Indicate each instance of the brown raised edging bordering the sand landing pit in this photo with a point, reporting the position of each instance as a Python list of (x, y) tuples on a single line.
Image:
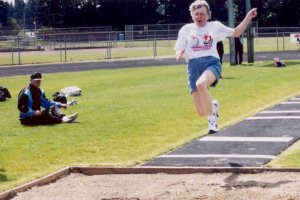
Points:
[(135, 170)]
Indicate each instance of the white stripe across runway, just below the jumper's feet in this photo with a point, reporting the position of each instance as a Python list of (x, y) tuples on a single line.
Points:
[(245, 139)]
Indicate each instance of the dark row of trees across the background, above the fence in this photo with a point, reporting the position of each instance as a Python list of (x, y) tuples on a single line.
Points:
[(117, 13)]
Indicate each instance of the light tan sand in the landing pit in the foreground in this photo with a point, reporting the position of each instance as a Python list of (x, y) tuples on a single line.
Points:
[(267, 185)]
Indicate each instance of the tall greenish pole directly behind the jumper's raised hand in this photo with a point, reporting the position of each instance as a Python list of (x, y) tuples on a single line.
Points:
[(250, 36)]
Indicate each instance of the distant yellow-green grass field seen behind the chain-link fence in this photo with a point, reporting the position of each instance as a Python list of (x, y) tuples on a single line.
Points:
[(132, 49)]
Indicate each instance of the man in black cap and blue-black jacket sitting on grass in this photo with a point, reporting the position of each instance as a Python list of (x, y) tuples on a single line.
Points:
[(30, 101)]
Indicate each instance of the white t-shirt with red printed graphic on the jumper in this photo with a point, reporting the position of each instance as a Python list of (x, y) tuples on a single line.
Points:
[(201, 42)]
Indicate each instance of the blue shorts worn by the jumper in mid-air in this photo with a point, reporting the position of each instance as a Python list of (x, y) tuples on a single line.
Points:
[(197, 66)]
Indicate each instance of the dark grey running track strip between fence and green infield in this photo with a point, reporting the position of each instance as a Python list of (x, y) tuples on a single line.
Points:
[(125, 63)]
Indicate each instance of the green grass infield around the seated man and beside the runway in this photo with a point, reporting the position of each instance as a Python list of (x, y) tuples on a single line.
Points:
[(128, 116)]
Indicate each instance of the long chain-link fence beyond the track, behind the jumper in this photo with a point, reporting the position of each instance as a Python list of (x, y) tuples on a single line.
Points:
[(84, 44)]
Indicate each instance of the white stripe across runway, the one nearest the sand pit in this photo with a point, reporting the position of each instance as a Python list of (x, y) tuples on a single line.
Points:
[(217, 156)]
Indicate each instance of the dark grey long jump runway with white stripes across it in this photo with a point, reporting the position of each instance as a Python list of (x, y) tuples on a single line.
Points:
[(250, 143)]
